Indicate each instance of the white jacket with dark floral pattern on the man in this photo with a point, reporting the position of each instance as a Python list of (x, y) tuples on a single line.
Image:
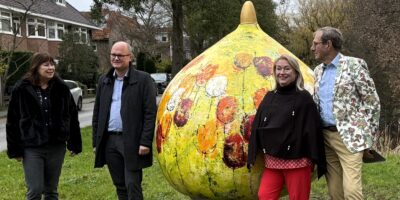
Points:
[(356, 106)]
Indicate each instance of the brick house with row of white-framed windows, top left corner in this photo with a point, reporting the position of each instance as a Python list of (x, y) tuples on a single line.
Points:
[(43, 26)]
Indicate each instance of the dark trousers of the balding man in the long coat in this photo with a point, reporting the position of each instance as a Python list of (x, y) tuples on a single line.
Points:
[(127, 182)]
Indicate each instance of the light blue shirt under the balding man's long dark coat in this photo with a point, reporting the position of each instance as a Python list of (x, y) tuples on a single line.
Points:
[(115, 121)]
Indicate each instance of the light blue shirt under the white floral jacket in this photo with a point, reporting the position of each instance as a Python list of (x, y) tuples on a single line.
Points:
[(326, 86)]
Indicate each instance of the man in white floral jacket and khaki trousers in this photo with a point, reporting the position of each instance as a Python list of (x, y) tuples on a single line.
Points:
[(349, 107)]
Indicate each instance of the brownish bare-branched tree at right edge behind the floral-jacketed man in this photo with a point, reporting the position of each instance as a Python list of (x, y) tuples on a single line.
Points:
[(373, 34)]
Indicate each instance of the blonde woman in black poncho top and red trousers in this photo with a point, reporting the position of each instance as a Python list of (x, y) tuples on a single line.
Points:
[(288, 131)]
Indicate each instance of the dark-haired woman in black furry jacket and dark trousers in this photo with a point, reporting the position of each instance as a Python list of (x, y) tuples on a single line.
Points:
[(42, 122)]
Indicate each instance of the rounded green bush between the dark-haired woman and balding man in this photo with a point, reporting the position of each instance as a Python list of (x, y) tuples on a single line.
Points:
[(78, 61)]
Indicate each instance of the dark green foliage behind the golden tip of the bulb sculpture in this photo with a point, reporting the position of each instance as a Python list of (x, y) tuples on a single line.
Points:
[(208, 21)]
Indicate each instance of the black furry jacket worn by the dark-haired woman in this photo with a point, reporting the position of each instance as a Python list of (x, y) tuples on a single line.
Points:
[(26, 124)]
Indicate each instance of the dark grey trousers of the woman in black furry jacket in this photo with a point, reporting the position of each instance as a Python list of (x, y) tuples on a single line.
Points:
[(42, 168)]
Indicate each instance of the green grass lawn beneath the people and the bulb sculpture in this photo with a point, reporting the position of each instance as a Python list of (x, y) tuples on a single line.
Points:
[(80, 181)]
